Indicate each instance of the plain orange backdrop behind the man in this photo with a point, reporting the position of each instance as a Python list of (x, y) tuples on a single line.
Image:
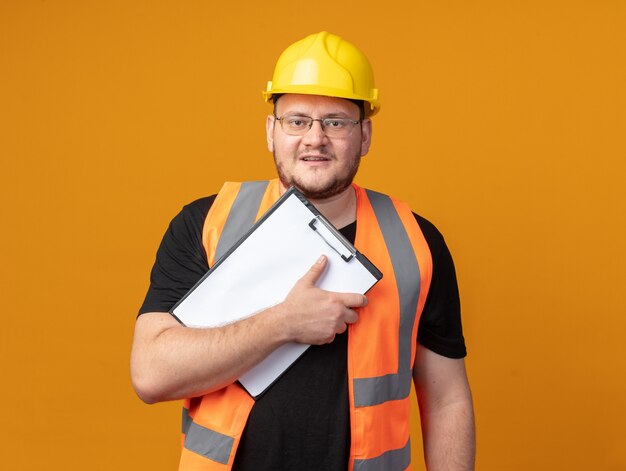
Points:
[(502, 121)]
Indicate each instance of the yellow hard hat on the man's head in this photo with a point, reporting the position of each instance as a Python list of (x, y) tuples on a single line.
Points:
[(325, 64)]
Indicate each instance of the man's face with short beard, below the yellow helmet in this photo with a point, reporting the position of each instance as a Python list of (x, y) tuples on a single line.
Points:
[(319, 166)]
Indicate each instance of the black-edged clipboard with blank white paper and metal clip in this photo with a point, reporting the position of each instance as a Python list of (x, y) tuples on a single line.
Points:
[(259, 270)]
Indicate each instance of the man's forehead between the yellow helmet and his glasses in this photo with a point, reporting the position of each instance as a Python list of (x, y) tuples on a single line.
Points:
[(315, 105)]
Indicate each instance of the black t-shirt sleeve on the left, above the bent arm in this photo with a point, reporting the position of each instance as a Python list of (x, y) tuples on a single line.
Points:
[(181, 259)]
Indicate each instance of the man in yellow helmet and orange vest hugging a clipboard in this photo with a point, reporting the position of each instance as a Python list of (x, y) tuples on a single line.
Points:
[(345, 403)]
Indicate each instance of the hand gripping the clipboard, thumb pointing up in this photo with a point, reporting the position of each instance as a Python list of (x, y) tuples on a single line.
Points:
[(315, 316)]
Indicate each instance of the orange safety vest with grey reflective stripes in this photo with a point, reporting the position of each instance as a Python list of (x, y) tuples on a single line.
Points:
[(381, 344)]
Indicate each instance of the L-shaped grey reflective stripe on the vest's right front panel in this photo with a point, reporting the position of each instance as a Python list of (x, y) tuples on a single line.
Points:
[(372, 391)]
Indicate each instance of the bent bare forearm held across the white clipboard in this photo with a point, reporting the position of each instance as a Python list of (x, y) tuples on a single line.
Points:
[(173, 362)]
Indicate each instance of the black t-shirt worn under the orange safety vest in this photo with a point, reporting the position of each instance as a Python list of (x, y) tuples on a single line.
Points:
[(302, 422)]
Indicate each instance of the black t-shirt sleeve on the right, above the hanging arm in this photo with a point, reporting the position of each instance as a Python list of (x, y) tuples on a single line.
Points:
[(440, 329)]
